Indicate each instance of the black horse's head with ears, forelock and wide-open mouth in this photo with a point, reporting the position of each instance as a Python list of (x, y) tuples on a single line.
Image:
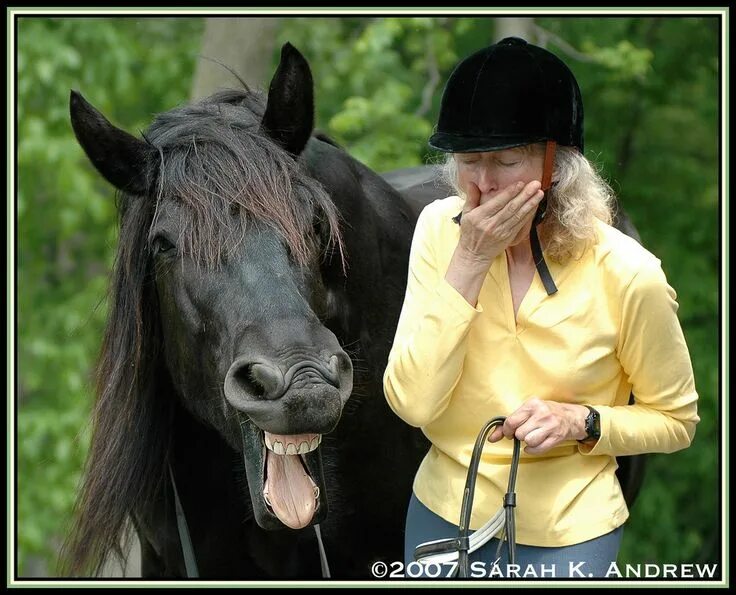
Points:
[(217, 211)]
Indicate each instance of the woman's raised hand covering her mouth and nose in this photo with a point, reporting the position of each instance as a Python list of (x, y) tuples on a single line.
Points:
[(490, 224)]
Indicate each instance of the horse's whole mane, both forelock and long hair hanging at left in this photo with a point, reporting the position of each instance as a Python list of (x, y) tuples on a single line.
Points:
[(215, 161)]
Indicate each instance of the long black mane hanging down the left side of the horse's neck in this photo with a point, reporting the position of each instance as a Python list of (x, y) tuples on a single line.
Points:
[(131, 422)]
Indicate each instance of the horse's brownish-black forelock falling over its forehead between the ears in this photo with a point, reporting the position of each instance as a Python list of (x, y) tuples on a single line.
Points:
[(225, 172)]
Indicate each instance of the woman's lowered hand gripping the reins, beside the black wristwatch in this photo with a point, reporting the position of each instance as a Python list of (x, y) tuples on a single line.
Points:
[(543, 424)]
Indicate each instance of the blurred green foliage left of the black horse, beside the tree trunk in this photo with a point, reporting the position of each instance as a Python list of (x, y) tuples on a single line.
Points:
[(66, 230)]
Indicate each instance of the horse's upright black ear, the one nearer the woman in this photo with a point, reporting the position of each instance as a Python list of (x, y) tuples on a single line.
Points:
[(289, 117)]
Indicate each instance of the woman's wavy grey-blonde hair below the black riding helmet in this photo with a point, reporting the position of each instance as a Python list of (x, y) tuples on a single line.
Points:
[(578, 197)]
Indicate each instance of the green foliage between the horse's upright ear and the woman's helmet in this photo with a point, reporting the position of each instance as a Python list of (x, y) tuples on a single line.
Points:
[(378, 81)]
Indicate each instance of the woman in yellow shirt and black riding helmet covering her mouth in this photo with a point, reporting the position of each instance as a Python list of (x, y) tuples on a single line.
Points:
[(552, 334)]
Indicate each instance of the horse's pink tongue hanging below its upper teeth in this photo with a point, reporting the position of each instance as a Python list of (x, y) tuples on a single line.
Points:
[(289, 490)]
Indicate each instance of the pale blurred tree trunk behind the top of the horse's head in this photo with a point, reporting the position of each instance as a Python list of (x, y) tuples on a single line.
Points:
[(243, 44)]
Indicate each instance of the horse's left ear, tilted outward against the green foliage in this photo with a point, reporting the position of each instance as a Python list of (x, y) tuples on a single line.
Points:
[(120, 157)]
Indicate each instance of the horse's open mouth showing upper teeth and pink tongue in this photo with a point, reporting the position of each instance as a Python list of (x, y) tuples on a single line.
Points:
[(288, 489)]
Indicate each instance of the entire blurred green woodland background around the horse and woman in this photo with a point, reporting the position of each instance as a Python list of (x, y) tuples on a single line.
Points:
[(651, 91)]
